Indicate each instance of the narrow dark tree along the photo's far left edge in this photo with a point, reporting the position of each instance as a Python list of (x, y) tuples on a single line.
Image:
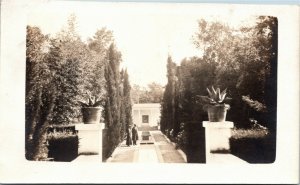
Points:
[(40, 94)]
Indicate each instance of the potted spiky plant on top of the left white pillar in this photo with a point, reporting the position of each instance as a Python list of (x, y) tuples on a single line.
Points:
[(91, 110)]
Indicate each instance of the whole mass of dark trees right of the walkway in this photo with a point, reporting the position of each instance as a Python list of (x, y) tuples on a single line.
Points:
[(243, 60)]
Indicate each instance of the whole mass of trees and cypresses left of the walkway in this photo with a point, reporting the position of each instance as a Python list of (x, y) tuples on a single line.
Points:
[(62, 69)]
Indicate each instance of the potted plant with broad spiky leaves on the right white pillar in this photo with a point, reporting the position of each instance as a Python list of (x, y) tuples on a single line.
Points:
[(216, 104)]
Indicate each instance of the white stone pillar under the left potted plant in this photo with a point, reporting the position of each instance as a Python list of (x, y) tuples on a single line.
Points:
[(90, 139)]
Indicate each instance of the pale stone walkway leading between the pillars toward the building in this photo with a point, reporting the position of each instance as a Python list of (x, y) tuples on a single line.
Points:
[(161, 151)]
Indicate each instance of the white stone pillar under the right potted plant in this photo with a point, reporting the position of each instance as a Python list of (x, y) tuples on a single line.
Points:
[(217, 136)]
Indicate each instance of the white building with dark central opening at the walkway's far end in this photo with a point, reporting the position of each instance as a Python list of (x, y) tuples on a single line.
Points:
[(146, 114)]
